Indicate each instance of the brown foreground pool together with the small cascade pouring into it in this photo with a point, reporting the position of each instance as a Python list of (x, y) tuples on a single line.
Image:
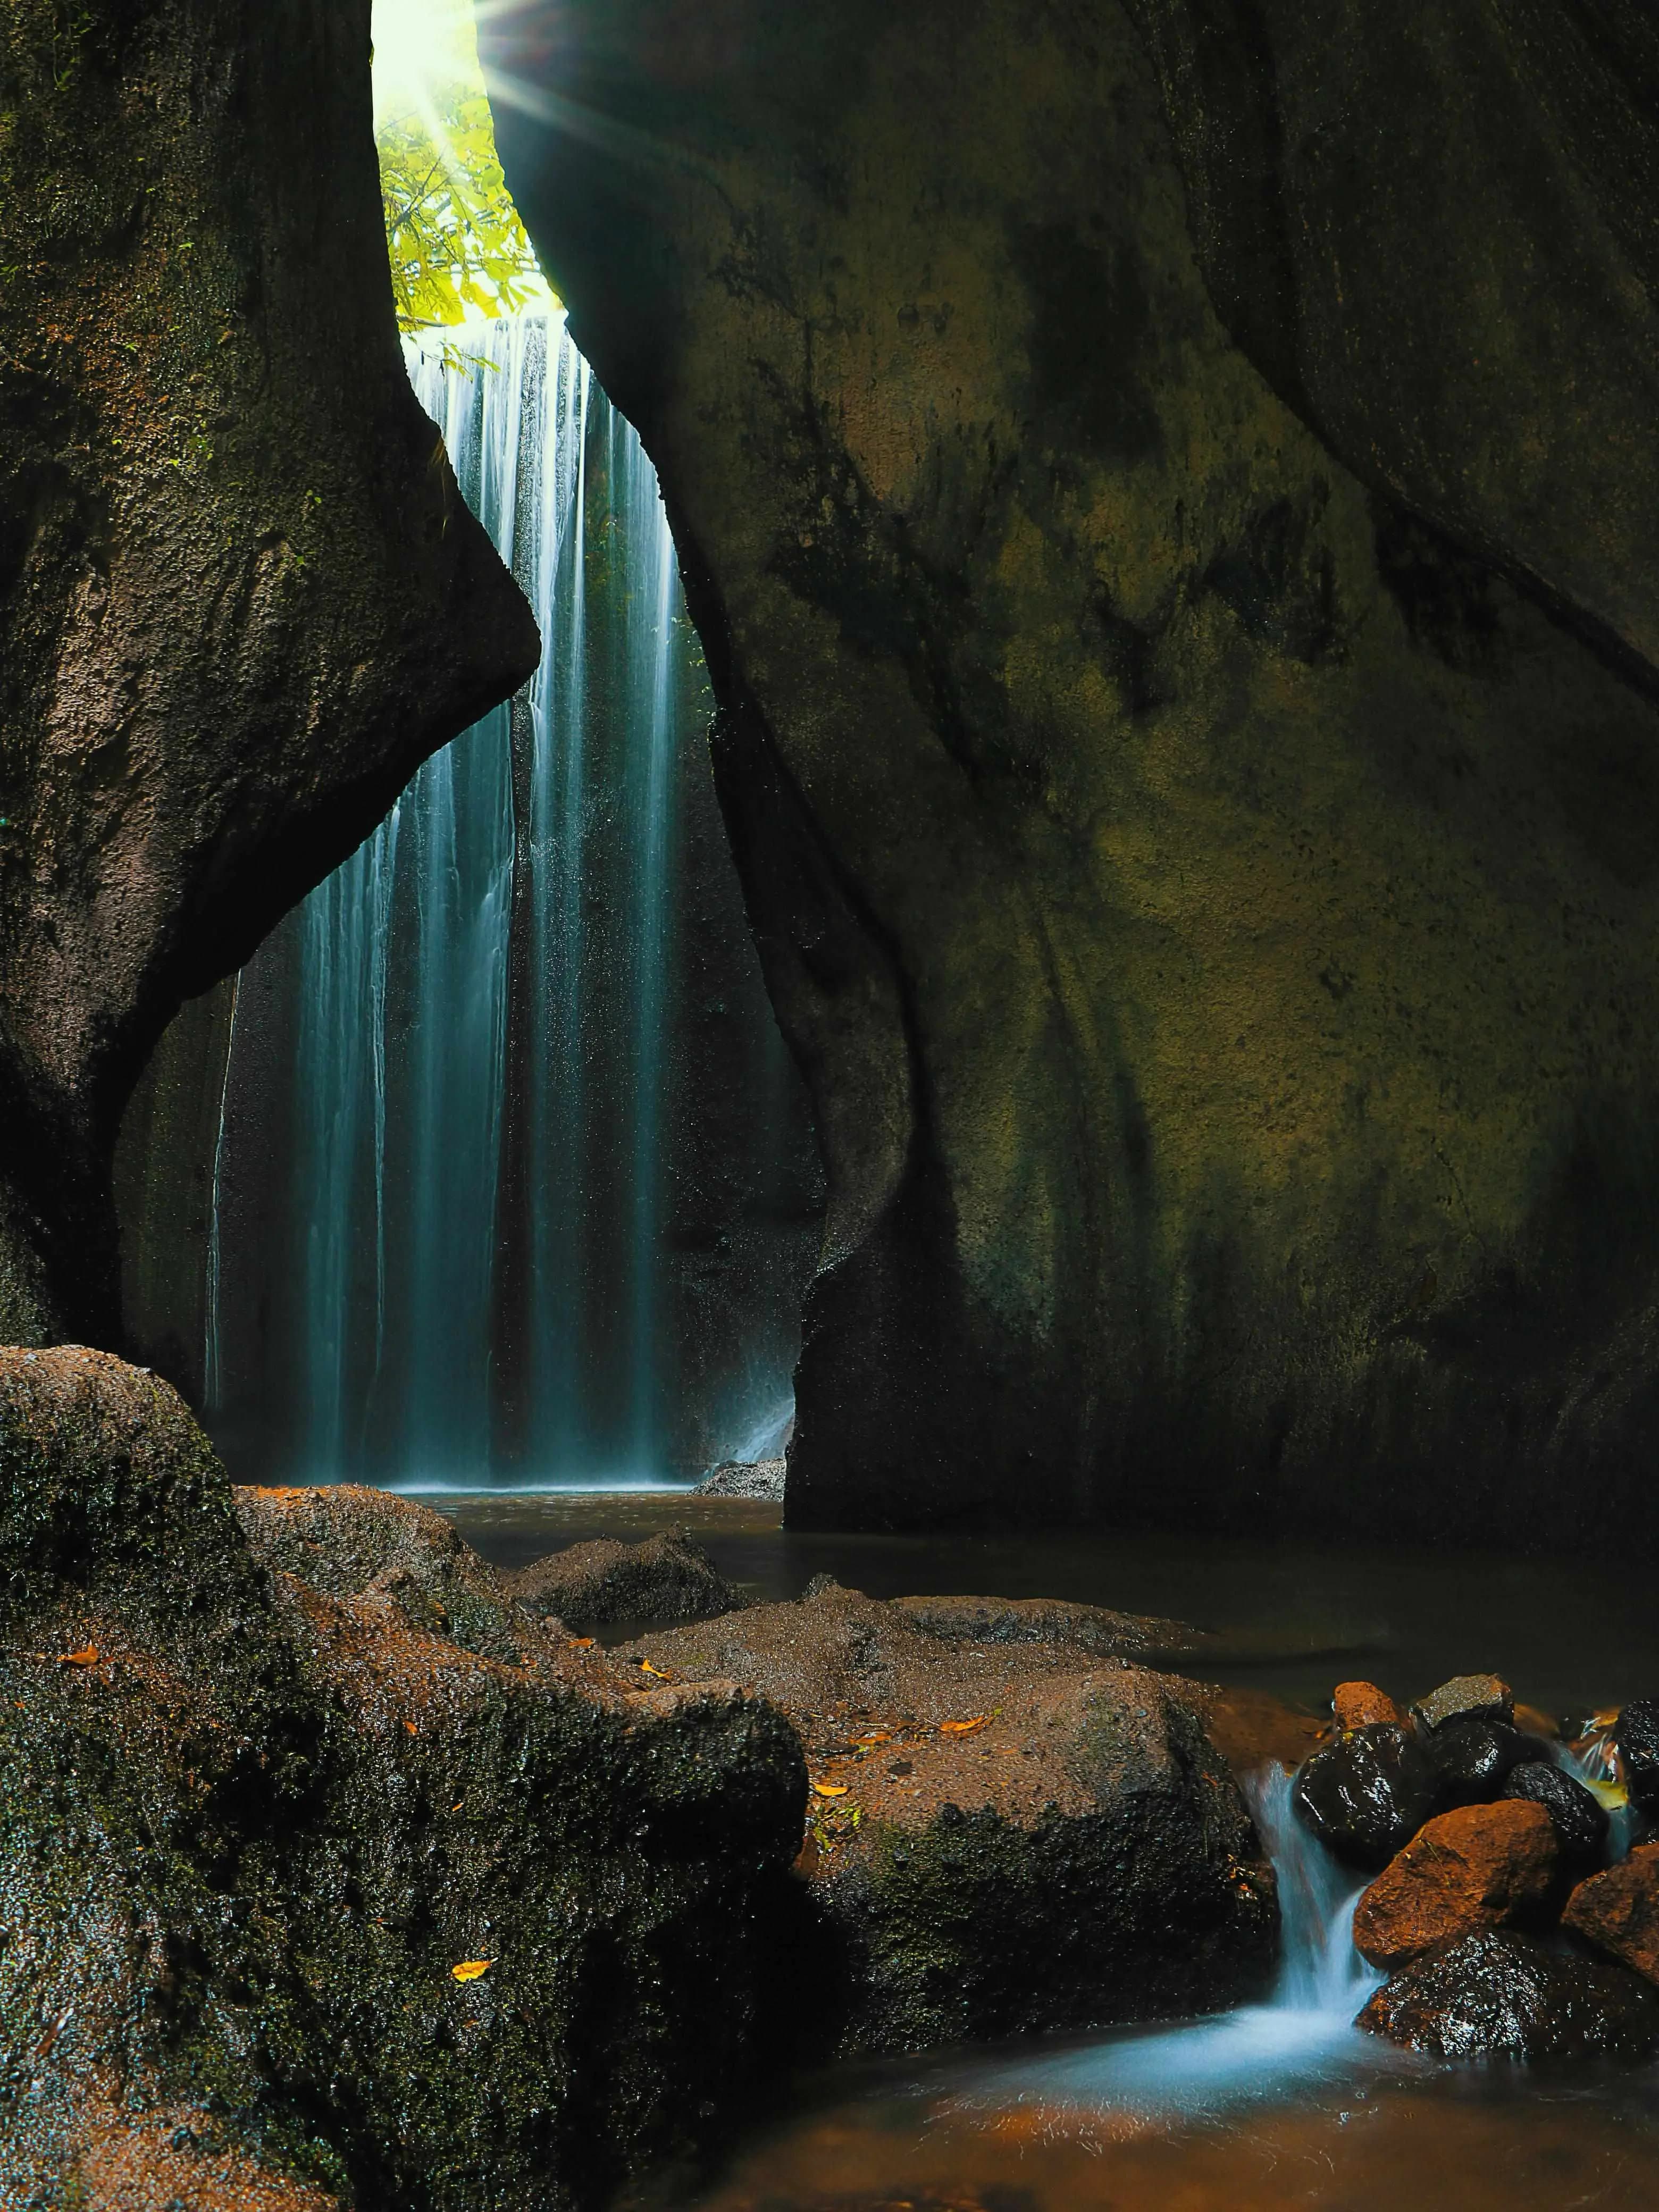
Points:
[(1269, 2107)]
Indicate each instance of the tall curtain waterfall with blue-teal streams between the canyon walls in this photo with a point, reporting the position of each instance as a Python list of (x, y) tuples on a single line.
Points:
[(474, 1249)]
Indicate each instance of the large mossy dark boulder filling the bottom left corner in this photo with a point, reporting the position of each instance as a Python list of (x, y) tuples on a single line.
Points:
[(249, 1830)]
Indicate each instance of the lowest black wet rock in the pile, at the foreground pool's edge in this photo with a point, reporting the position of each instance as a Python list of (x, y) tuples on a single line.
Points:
[(1510, 1996)]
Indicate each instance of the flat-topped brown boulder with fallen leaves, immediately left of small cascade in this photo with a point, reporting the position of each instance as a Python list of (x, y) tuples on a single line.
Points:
[(1005, 1835)]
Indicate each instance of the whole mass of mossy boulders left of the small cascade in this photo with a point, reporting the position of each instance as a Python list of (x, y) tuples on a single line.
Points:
[(337, 1870)]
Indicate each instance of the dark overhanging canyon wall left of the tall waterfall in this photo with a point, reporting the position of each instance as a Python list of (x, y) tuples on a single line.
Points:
[(240, 594)]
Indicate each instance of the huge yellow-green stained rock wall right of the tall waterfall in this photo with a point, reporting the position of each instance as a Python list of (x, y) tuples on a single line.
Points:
[(1211, 895)]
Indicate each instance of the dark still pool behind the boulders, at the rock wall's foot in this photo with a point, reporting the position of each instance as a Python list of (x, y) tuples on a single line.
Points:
[(1567, 1634)]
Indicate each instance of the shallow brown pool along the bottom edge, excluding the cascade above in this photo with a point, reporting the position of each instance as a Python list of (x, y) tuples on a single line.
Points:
[(1384, 2142)]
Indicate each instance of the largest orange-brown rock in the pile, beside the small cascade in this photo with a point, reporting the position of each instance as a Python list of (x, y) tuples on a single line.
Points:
[(1470, 1870)]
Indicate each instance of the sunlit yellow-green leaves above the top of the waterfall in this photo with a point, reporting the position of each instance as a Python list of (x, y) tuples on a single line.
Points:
[(452, 229)]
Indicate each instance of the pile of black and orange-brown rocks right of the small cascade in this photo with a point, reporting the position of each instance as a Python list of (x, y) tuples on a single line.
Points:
[(1510, 1910)]
